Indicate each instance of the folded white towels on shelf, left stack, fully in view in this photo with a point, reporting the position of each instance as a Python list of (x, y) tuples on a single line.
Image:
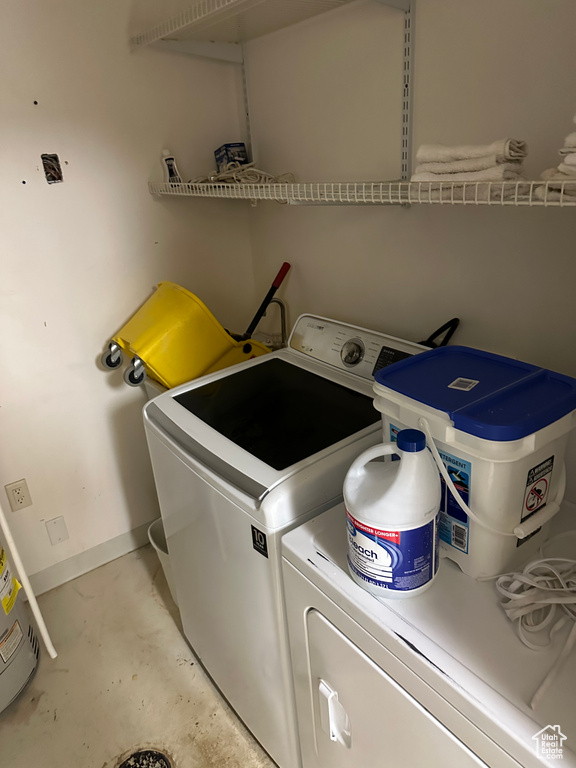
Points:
[(500, 161)]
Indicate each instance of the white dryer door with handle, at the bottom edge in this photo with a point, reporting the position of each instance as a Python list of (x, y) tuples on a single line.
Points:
[(362, 717)]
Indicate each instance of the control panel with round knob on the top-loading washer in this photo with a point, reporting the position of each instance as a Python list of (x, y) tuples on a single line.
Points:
[(347, 347)]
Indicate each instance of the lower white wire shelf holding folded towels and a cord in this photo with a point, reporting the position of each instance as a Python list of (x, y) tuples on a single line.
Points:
[(501, 193)]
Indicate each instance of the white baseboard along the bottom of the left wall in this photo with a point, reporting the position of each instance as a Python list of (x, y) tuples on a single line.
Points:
[(69, 569)]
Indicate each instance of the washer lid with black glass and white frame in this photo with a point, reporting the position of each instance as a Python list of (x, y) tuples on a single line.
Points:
[(265, 420)]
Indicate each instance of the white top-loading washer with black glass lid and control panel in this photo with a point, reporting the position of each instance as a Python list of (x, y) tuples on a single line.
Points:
[(239, 457)]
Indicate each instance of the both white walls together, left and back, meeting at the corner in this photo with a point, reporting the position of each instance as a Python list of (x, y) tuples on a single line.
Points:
[(79, 257)]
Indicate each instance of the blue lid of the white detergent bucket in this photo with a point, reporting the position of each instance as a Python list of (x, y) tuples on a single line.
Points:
[(487, 395)]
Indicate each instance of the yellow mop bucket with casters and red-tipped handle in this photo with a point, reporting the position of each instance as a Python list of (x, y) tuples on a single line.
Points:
[(174, 338)]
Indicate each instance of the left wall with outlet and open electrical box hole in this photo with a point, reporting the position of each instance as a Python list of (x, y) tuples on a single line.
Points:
[(79, 257)]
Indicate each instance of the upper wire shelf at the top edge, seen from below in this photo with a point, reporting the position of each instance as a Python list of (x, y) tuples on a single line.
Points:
[(234, 21)]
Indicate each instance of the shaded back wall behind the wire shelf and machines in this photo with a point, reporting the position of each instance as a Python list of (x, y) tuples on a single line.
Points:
[(483, 70)]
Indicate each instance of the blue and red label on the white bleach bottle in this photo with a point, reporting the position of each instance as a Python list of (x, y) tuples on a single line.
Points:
[(390, 559)]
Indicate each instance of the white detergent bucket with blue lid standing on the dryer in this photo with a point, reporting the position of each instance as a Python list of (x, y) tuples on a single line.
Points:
[(501, 427)]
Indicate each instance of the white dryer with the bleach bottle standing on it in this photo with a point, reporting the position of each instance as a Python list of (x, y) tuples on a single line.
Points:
[(437, 680)]
